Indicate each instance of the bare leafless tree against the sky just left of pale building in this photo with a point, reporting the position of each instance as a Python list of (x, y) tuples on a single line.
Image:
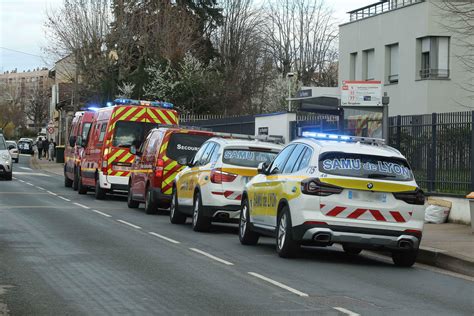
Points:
[(301, 37)]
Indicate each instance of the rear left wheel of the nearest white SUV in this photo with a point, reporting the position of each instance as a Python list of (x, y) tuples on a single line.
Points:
[(286, 246)]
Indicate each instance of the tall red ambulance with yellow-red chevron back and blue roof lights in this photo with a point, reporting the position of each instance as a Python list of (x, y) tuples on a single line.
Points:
[(107, 159)]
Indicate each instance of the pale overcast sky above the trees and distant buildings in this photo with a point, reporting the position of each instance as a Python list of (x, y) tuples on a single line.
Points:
[(22, 34)]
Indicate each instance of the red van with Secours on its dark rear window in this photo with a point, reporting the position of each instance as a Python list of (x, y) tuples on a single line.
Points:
[(163, 154)]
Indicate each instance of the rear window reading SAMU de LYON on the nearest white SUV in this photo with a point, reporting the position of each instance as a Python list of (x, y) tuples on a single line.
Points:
[(365, 166)]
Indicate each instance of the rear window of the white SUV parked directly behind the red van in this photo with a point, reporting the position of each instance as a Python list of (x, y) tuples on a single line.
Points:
[(248, 158)]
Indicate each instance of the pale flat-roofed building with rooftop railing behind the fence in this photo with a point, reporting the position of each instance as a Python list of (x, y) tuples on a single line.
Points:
[(404, 44)]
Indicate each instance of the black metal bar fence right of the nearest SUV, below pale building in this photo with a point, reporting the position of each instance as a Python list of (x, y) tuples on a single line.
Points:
[(439, 148)]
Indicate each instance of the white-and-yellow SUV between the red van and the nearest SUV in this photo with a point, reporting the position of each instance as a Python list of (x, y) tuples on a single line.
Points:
[(210, 188)]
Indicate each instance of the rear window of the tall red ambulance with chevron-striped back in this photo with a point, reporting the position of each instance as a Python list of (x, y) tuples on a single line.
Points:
[(128, 133)]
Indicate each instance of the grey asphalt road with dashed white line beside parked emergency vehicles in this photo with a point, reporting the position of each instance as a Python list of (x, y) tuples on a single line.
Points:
[(66, 254)]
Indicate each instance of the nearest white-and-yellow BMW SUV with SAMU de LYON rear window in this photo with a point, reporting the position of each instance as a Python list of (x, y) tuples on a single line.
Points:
[(330, 189)]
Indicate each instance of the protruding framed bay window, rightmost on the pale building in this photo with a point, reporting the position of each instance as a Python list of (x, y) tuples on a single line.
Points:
[(434, 57)]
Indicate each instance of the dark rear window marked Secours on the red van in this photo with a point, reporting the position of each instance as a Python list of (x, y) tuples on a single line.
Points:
[(185, 145)]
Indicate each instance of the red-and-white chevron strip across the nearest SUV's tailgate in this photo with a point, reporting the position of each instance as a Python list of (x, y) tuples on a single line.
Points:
[(366, 214)]
